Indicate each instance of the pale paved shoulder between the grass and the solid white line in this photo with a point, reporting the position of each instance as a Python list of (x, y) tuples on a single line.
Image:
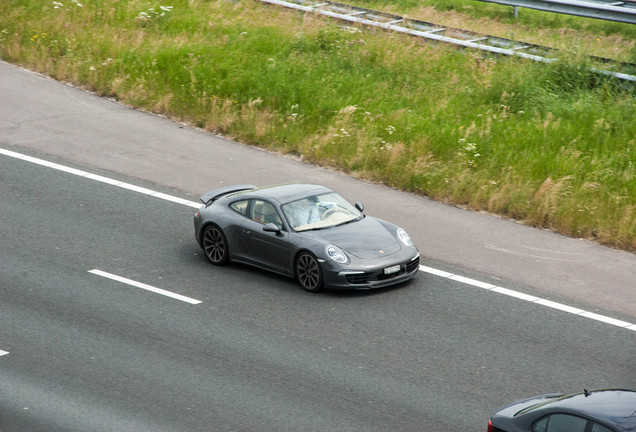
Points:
[(45, 117)]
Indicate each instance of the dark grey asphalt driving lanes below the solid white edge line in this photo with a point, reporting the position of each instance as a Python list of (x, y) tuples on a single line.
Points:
[(88, 353)]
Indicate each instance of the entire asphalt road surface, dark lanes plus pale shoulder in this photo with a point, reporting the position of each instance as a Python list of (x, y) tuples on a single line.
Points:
[(87, 353)]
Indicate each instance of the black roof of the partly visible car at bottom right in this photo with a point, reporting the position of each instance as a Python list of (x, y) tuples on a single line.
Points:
[(615, 406)]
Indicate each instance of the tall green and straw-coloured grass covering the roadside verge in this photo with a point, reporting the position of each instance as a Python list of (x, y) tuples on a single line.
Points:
[(552, 145)]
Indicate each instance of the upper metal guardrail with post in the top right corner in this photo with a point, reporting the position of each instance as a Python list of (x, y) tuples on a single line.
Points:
[(610, 10)]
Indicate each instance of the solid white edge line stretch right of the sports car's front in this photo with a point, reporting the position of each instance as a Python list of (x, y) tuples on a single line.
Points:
[(530, 298)]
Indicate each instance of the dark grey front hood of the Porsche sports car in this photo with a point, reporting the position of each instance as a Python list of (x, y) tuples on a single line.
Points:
[(367, 238)]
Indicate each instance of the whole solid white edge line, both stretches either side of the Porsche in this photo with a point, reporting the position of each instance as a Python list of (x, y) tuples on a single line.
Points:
[(431, 270)]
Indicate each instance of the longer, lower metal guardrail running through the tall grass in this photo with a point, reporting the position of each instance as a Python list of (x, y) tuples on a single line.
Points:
[(463, 38)]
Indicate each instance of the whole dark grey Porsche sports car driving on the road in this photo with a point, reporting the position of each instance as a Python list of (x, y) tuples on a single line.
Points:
[(304, 231)]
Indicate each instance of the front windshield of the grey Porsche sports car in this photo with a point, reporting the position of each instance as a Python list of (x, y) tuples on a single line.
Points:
[(319, 212)]
